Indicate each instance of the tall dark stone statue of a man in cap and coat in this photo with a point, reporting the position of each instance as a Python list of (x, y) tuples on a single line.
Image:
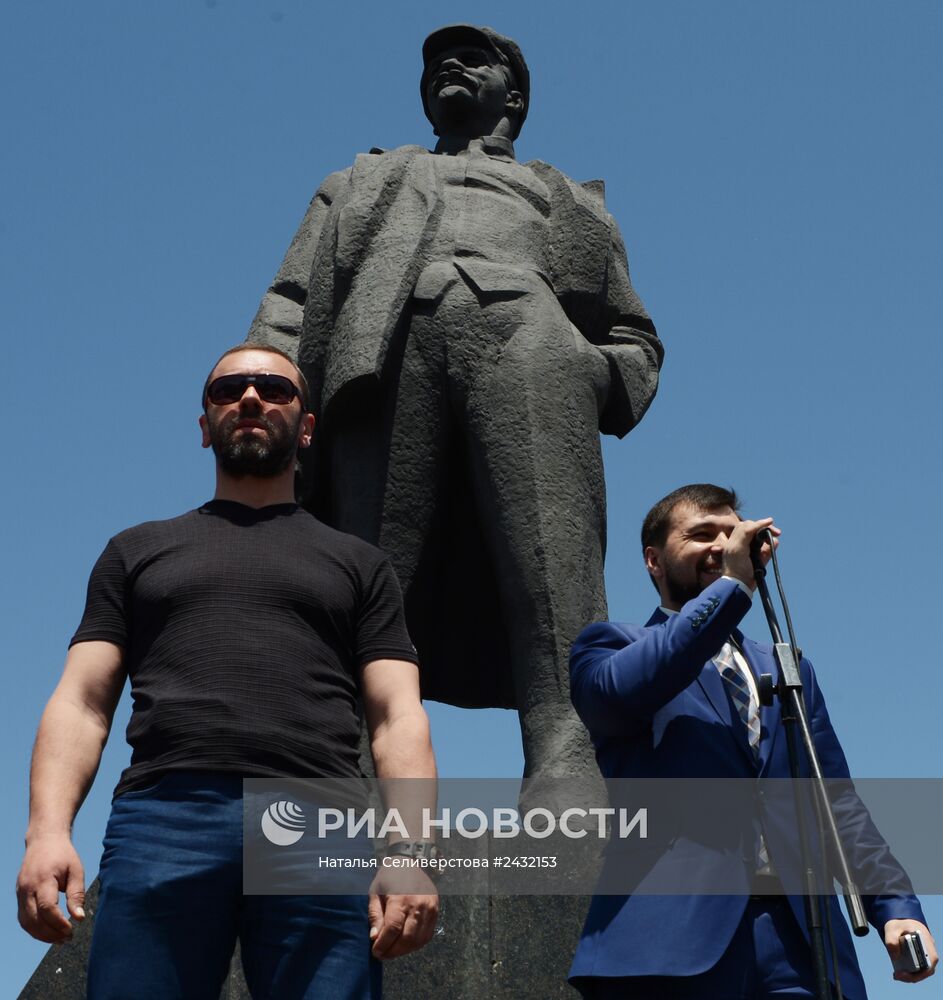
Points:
[(468, 327)]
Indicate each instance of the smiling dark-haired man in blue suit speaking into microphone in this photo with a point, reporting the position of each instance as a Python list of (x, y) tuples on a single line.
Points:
[(677, 698)]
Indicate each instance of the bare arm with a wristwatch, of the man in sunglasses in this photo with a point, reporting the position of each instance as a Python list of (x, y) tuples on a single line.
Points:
[(399, 739)]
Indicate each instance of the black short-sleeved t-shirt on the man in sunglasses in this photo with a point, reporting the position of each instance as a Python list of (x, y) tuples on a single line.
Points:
[(244, 631)]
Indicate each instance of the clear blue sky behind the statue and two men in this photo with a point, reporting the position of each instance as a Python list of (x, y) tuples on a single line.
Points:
[(774, 169)]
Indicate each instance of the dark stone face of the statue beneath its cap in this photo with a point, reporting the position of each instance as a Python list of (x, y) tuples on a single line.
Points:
[(467, 82)]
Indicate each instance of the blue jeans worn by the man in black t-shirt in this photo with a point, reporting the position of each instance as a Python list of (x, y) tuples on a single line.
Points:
[(171, 908)]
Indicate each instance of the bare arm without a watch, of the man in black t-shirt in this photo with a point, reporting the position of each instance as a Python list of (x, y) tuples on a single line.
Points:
[(69, 744)]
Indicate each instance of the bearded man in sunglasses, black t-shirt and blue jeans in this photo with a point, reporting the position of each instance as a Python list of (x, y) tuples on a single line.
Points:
[(250, 633)]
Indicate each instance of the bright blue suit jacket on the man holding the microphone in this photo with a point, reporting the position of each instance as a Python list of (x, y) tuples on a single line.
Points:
[(656, 707)]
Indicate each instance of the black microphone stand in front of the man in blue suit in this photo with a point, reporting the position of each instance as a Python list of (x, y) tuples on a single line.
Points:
[(796, 726)]
